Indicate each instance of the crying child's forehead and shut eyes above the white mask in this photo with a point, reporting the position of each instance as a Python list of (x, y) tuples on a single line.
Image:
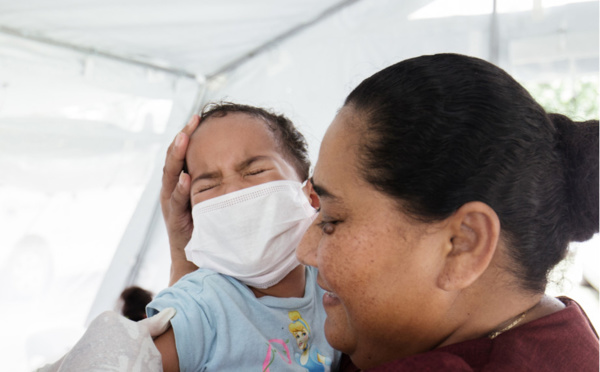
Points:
[(233, 152)]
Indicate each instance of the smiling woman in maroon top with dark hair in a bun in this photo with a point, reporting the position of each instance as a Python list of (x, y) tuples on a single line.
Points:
[(447, 194)]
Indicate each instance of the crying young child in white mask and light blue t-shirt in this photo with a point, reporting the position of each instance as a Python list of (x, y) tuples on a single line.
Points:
[(250, 211)]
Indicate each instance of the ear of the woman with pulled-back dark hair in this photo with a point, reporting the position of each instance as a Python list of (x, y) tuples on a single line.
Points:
[(474, 231)]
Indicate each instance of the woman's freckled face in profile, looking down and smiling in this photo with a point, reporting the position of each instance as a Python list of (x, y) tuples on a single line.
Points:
[(377, 265)]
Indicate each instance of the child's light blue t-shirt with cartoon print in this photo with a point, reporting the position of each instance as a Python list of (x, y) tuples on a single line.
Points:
[(221, 326)]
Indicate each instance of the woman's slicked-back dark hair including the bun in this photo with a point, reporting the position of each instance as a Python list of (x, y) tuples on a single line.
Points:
[(447, 129)]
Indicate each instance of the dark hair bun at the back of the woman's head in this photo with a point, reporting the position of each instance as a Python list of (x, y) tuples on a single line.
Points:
[(578, 142)]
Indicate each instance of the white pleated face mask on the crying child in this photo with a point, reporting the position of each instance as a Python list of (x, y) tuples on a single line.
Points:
[(251, 234)]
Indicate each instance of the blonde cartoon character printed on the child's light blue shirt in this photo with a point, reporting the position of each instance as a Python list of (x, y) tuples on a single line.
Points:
[(308, 356)]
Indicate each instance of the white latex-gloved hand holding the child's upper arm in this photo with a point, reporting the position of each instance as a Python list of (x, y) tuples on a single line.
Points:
[(117, 344)]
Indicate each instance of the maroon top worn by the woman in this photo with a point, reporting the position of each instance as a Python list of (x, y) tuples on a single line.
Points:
[(564, 341)]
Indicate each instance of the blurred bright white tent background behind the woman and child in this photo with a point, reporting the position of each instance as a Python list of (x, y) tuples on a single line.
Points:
[(92, 92)]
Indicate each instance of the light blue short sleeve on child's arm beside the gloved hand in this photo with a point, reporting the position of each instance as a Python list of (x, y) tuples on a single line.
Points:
[(191, 325)]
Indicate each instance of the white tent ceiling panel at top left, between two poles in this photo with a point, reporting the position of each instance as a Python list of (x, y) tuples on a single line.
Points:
[(196, 36)]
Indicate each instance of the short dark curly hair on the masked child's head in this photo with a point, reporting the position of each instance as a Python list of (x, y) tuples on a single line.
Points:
[(290, 141)]
